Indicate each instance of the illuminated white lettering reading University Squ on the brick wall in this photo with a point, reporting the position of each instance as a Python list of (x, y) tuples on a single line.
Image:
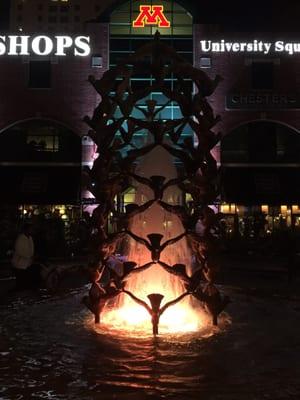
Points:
[(255, 46)]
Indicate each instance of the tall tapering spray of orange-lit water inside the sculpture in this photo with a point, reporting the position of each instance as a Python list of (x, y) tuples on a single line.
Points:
[(155, 279)]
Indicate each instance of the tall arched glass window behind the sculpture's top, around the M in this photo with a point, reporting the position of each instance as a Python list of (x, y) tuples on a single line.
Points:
[(124, 39)]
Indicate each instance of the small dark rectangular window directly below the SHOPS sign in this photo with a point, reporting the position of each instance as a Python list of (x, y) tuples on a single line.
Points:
[(39, 74)]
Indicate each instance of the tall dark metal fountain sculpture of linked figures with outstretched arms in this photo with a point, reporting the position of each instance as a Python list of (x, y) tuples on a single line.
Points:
[(113, 128)]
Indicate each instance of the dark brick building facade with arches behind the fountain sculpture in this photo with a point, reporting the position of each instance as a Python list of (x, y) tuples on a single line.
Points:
[(43, 137)]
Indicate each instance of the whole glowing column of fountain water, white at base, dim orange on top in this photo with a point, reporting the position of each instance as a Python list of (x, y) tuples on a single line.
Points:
[(126, 315)]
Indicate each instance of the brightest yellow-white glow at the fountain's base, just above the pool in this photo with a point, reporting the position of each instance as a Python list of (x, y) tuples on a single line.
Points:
[(128, 315)]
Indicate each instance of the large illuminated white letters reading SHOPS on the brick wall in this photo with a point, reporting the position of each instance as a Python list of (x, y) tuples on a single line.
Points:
[(44, 45)]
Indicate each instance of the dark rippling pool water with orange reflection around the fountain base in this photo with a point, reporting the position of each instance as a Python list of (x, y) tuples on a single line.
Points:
[(49, 349)]
